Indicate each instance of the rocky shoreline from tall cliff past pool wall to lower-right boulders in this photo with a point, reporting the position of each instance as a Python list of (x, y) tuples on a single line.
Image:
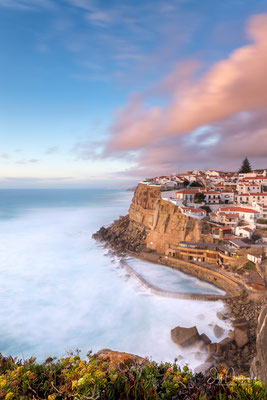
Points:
[(152, 231)]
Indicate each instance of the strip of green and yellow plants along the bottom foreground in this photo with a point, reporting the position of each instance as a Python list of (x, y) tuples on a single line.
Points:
[(74, 378)]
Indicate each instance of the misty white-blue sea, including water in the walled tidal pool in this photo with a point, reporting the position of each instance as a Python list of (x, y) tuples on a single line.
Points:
[(60, 290)]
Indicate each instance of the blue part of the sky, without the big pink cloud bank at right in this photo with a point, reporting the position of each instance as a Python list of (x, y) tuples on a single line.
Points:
[(69, 67)]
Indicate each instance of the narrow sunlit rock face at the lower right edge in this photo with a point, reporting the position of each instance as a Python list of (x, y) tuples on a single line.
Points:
[(259, 364)]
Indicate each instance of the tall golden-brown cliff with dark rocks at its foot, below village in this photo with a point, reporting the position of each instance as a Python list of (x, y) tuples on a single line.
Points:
[(152, 223)]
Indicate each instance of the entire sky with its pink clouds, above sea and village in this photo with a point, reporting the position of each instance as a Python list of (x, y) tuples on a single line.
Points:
[(97, 93)]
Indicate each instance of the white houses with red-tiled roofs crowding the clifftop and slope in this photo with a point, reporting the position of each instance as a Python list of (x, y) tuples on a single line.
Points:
[(233, 205)]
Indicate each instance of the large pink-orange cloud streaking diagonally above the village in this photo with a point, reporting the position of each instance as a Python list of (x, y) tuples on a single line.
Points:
[(232, 86)]
